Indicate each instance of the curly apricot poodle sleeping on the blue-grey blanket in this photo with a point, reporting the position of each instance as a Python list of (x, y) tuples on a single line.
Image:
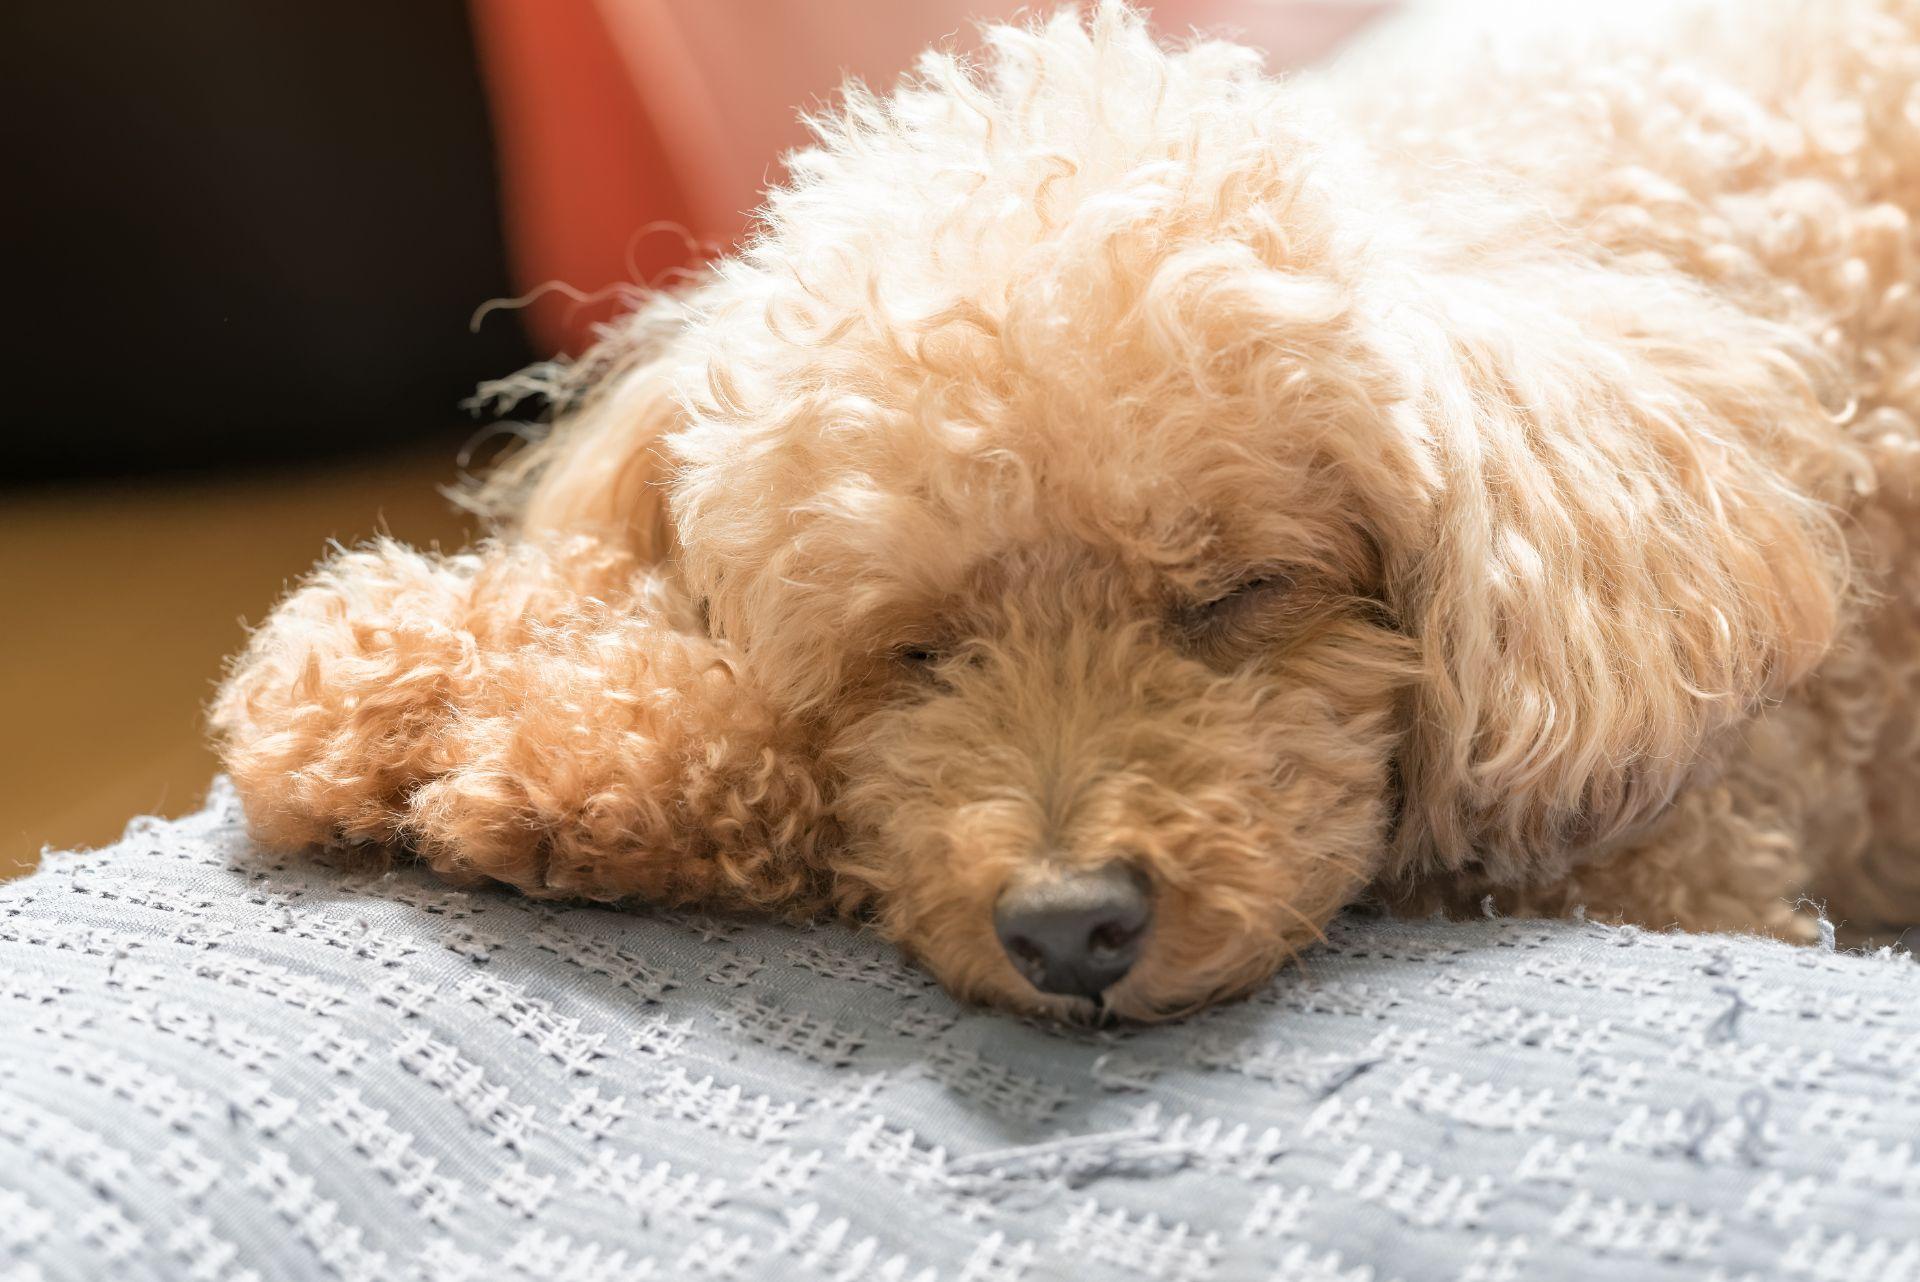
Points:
[(1120, 510)]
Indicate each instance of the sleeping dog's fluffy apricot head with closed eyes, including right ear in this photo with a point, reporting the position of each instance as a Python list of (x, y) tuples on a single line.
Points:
[(1172, 529)]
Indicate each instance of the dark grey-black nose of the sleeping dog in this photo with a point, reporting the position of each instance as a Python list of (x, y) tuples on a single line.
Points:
[(1076, 934)]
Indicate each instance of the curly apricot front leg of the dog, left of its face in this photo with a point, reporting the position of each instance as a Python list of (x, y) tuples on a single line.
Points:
[(546, 717)]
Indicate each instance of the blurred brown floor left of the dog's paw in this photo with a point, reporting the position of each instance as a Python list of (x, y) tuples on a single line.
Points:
[(124, 602)]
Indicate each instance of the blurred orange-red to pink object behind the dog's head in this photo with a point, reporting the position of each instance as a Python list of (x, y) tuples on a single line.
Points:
[(633, 133)]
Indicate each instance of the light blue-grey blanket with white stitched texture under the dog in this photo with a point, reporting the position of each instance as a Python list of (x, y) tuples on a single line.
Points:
[(222, 1062)]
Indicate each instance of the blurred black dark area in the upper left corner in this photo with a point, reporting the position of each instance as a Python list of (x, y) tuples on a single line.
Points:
[(245, 235)]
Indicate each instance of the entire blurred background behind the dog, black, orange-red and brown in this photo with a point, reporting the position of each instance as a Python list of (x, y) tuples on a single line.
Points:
[(254, 252)]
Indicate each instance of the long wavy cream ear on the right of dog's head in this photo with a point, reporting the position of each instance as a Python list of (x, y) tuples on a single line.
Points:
[(1631, 552)]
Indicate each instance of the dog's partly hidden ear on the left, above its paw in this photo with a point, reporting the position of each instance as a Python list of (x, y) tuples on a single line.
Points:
[(602, 471)]
